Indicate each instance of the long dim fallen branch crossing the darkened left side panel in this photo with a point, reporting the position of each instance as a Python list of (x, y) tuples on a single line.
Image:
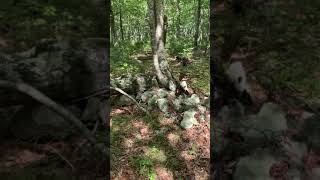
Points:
[(43, 99)]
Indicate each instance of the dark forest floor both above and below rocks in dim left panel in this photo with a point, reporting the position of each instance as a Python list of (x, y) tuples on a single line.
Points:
[(23, 25)]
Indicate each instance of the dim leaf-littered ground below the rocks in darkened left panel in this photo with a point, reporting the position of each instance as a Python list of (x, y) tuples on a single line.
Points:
[(70, 158)]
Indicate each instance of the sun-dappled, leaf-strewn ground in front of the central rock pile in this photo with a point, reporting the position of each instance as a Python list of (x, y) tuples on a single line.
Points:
[(156, 147)]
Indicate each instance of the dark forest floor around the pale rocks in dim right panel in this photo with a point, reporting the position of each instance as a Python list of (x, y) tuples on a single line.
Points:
[(279, 48)]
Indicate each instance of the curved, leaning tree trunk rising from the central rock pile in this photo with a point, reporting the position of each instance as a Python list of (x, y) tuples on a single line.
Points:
[(156, 15)]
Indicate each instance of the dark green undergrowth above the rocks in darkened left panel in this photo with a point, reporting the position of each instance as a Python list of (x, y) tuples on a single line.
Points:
[(26, 22)]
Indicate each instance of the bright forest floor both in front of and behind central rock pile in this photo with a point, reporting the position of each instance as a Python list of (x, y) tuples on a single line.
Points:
[(148, 147)]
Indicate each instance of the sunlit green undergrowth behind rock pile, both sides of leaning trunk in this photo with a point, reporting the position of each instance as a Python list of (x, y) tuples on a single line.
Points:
[(198, 71)]
